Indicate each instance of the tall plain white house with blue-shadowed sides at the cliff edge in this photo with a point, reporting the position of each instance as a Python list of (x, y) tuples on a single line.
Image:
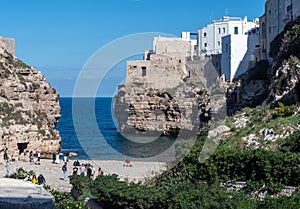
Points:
[(239, 52)]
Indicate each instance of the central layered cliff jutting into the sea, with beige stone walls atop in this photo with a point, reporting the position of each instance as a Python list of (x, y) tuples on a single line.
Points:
[(167, 96)]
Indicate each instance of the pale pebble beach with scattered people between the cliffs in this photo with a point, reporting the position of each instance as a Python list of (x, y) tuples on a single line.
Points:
[(135, 171)]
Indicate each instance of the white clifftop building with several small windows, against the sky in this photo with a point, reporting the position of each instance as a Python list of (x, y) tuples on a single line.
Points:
[(210, 37)]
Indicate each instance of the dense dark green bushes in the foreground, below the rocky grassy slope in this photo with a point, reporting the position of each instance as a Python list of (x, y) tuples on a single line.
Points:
[(191, 184)]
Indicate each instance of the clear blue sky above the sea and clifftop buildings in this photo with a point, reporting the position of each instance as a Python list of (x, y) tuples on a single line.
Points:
[(58, 36)]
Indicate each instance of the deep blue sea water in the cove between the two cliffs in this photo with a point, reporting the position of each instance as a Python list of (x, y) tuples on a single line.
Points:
[(88, 128)]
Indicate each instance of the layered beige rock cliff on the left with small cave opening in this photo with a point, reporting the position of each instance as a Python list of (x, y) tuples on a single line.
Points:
[(29, 110)]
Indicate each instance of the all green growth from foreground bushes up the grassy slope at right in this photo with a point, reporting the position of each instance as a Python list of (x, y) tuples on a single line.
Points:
[(191, 184)]
